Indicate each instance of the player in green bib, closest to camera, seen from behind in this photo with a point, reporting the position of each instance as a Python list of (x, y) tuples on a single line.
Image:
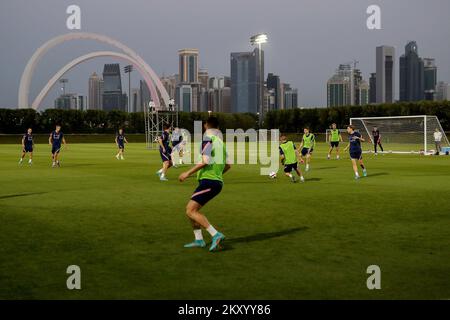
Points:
[(210, 172)]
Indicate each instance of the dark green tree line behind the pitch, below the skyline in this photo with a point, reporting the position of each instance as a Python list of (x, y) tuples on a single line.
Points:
[(13, 121)]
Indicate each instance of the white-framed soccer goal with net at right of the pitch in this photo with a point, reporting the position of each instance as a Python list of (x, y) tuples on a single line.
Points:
[(403, 134)]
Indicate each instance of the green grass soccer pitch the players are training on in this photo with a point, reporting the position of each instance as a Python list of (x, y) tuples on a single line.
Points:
[(126, 229)]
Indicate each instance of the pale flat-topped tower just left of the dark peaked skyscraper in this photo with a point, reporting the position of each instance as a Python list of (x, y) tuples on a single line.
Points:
[(385, 76)]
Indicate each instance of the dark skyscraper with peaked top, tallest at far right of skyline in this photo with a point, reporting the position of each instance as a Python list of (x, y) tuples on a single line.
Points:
[(412, 85)]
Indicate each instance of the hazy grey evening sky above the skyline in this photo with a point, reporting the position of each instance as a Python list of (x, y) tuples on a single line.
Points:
[(307, 39)]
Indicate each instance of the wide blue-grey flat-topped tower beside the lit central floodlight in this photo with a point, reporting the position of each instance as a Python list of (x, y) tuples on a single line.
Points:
[(245, 81)]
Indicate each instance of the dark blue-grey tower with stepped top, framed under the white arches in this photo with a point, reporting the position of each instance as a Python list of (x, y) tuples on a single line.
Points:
[(113, 98)]
